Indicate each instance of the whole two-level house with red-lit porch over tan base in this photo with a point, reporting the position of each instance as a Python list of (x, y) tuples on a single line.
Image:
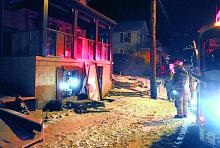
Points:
[(53, 49)]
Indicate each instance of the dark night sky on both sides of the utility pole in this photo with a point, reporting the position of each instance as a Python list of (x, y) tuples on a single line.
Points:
[(177, 26)]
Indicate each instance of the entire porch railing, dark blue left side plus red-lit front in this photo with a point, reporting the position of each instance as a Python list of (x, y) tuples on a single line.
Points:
[(59, 44)]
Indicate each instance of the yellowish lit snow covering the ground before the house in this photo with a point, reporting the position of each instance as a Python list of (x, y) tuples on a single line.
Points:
[(126, 122)]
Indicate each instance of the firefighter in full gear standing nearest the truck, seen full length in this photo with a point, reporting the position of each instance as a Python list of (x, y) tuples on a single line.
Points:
[(180, 85)]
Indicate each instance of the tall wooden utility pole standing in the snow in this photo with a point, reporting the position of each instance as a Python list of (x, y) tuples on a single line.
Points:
[(153, 86)]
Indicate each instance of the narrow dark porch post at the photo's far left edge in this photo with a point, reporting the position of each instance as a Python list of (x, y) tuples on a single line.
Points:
[(1, 26)]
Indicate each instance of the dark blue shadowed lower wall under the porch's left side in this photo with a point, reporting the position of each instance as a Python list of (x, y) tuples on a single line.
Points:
[(17, 76)]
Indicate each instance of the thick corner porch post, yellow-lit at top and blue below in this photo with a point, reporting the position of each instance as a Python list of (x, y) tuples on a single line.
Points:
[(44, 20)]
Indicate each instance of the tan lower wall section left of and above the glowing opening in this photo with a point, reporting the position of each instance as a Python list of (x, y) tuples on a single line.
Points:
[(45, 83)]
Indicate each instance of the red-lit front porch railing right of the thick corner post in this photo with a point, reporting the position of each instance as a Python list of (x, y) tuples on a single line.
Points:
[(61, 44)]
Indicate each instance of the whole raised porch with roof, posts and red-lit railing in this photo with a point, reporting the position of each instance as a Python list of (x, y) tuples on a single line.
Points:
[(66, 29)]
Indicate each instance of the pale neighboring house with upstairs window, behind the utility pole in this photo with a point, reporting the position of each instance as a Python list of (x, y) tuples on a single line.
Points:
[(131, 36)]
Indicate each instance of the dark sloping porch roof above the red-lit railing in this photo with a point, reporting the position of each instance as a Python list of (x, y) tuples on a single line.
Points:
[(72, 4)]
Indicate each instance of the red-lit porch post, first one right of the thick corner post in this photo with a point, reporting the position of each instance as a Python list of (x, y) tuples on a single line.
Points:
[(74, 32)]
